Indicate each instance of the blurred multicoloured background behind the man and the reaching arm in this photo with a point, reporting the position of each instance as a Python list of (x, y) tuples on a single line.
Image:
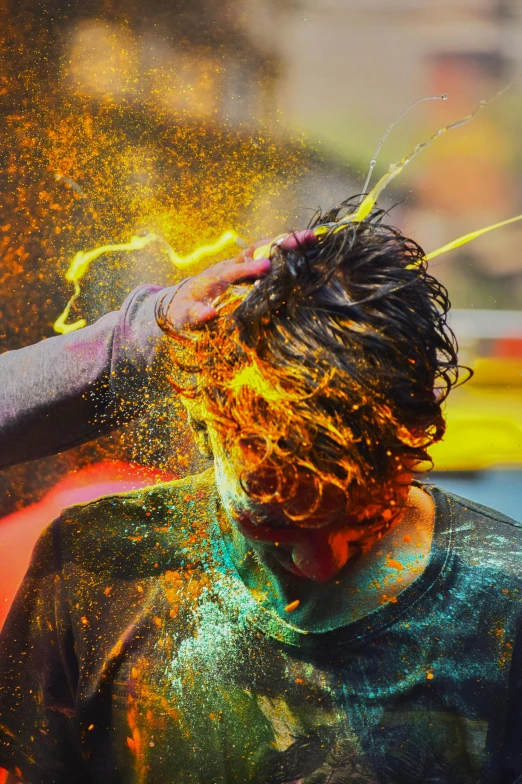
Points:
[(190, 117)]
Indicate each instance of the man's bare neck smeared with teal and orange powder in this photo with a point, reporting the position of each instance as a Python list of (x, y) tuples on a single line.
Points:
[(374, 574)]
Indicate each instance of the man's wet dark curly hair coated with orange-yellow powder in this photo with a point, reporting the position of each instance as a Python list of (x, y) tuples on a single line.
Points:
[(333, 367)]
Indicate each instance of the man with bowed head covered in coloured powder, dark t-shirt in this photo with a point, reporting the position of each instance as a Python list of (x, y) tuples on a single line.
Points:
[(302, 612)]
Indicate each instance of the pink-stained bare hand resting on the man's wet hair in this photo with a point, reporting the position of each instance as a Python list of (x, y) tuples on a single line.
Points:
[(191, 303)]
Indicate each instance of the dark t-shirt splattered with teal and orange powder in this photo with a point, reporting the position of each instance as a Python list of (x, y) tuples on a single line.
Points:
[(135, 654)]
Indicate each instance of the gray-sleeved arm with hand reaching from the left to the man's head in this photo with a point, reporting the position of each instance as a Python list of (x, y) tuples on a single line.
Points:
[(70, 389)]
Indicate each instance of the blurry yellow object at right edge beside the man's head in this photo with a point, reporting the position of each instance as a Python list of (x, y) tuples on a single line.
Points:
[(484, 420)]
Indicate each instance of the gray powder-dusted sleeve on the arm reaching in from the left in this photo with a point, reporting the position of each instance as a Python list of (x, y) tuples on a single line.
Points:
[(71, 388)]
